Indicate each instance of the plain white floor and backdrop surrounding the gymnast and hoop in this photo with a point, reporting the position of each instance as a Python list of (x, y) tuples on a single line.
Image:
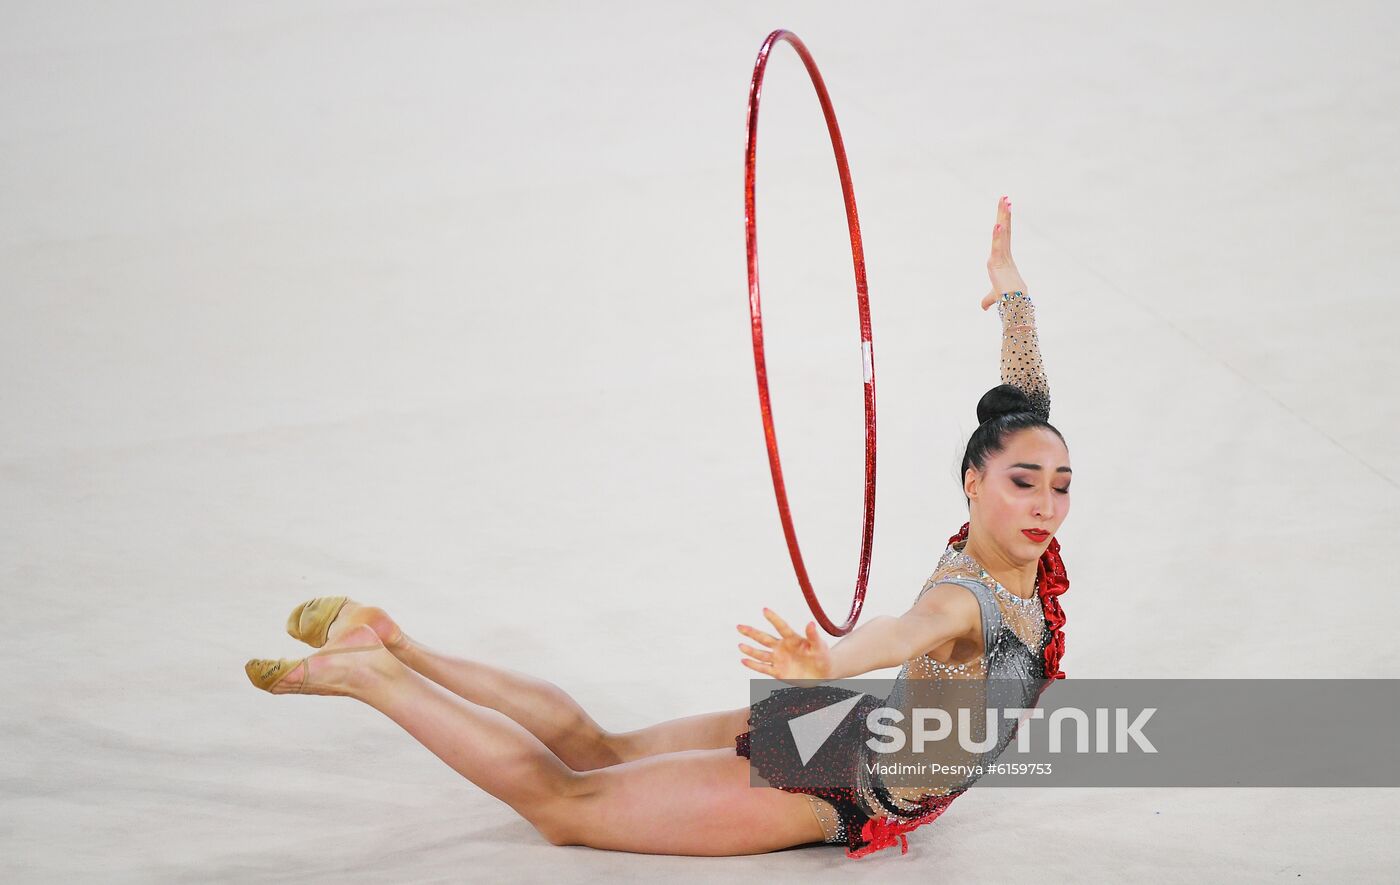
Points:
[(443, 306)]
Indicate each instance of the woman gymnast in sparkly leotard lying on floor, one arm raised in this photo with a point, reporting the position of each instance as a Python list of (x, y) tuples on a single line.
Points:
[(682, 788)]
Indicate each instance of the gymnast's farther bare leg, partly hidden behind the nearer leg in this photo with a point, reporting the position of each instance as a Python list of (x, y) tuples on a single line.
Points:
[(545, 709)]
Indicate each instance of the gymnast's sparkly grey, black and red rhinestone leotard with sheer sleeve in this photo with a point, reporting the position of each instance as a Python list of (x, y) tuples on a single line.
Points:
[(863, 813)]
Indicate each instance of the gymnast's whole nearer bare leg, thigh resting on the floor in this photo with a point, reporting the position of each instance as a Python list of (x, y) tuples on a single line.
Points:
[(684, 803)]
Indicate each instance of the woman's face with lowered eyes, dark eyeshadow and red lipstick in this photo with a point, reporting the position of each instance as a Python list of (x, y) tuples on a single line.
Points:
[(1025, 488)]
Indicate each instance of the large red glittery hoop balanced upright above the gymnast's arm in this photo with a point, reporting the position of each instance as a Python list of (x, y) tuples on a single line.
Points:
[(867, 351)]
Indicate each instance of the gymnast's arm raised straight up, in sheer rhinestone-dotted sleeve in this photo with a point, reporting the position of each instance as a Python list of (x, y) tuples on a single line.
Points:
[(1021, 363)]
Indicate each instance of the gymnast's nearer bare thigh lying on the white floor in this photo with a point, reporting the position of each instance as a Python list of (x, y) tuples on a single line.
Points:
[(696, 802)]
